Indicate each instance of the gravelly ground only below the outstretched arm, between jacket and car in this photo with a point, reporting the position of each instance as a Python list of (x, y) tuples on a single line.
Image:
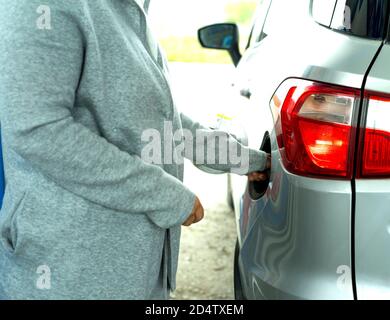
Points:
[(207, 249)]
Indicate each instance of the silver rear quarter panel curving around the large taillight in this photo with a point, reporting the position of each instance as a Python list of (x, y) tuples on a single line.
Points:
[(296, 240)]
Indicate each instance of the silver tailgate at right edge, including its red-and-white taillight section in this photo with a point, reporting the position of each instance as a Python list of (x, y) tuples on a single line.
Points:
[(372, 215)]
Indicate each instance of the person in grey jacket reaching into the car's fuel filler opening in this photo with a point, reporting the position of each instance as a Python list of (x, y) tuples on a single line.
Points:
[(85, 214)]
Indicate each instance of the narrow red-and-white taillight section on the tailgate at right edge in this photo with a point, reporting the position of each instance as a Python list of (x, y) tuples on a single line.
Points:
[(376, 150)]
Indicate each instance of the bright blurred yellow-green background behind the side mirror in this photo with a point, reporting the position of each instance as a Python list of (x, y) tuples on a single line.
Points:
[(176, 23)]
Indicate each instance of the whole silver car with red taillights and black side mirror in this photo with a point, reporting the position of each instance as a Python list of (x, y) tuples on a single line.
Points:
[(314, 91)]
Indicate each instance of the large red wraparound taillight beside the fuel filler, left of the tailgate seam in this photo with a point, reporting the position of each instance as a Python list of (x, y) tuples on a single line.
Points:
[(313, 123)]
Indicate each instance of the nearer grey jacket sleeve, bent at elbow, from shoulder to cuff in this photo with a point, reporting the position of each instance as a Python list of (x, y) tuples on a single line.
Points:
[(39, 74)]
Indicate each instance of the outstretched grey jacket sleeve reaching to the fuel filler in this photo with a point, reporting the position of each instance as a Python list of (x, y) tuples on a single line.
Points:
[(220, 151)]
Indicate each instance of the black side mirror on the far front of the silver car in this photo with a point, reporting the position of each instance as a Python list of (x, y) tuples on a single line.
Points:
[(222, 36)]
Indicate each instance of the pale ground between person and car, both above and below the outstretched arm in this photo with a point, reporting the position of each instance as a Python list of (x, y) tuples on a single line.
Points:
[(206, 257)]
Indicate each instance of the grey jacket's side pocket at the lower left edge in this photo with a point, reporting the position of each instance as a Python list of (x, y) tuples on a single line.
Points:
[(12, 207)]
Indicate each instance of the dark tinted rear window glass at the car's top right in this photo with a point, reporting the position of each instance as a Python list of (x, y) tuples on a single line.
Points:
[(364, 18)]
